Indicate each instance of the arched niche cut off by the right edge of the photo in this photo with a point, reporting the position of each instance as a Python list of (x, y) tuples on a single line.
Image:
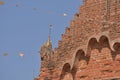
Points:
[(116, 54)]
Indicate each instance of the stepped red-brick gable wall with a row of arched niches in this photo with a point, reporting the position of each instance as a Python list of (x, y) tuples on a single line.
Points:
[(90, 47)]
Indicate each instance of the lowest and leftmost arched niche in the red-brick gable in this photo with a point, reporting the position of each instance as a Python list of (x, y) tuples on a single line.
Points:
[(66, 72)]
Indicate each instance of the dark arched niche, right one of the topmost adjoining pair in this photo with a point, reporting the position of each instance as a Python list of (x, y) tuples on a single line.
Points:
[(104, 42)]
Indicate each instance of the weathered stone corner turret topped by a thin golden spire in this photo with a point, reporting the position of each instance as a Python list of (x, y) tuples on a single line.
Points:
[(46, 52)]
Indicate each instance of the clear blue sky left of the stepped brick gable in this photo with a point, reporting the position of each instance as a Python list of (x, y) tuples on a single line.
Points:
[(24, 27)]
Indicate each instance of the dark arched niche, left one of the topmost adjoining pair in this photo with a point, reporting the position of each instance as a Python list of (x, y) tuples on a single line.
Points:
[(92, 44)]
